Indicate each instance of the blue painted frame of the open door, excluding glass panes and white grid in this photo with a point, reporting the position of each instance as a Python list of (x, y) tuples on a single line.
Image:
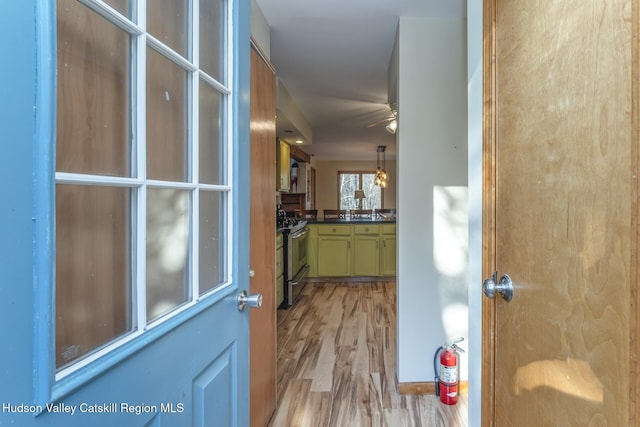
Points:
[(194, 372)]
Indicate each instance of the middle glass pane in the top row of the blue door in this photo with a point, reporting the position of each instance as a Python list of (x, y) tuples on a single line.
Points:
[(167, 21)]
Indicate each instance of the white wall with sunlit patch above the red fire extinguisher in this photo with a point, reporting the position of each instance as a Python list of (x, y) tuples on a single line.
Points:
[(432, 180)]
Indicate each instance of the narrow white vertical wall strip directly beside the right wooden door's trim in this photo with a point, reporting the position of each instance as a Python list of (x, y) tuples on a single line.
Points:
[(474, 82)]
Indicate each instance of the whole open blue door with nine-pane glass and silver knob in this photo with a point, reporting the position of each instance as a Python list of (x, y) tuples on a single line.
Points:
[(124, 212)]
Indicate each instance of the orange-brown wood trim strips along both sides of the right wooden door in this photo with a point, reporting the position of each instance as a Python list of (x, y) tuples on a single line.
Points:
[(489, 164)]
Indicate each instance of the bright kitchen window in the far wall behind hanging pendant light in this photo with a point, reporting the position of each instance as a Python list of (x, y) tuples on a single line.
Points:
[(349, 182)]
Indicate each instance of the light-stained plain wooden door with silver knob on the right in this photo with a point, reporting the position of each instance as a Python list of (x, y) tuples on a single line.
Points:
[(561, 82)]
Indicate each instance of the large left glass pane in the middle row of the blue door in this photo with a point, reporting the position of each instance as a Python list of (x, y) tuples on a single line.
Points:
[(94, 125)]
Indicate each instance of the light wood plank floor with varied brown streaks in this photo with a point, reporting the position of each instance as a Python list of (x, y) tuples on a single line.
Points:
[(337, 362)]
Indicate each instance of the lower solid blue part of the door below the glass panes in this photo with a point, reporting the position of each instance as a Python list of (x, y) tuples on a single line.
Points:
[(171, 382)]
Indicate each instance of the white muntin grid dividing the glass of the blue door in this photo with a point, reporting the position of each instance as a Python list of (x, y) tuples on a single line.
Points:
[(141, 186)]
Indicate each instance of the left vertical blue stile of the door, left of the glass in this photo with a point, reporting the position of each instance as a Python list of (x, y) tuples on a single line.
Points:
[(17, 127)]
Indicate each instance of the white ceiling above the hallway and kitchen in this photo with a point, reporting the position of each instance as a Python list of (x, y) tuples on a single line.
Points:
[(333, 57)]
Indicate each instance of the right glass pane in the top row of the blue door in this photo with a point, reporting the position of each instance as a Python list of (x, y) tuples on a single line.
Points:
[(213, 38)]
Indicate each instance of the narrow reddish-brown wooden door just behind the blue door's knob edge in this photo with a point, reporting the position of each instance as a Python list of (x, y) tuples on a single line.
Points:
[(263, 234)]
